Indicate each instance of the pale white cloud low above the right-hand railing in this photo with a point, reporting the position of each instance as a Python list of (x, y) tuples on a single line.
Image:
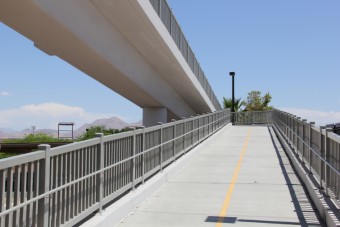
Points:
[(320, 117)]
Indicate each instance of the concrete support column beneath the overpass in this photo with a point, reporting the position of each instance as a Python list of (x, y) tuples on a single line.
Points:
[(153, 115)]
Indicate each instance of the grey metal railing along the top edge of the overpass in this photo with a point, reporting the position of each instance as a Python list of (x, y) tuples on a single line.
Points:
[(164, 12)]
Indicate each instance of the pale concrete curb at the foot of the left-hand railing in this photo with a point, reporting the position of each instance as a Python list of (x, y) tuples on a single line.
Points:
[(115, 213)]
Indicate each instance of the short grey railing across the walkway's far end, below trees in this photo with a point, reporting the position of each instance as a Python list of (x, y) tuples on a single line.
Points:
[(252, 117)]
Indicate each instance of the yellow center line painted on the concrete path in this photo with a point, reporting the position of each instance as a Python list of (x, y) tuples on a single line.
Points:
[(223, 212)]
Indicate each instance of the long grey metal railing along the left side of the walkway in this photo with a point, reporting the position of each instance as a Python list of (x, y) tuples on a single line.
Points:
[(62, 186)]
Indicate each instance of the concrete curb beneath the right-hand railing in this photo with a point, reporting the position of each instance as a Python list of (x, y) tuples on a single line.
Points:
[(320, 201)]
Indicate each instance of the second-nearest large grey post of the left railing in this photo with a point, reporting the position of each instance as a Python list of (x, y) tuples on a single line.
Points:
[(100, 178)]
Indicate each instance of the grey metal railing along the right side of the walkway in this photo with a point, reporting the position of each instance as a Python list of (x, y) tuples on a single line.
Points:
[(317, 147)]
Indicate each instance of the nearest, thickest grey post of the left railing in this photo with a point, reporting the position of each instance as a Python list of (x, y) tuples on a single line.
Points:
[(44, 186)]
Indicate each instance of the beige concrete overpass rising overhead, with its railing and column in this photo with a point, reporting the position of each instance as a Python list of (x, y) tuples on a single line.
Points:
[(134, 47)]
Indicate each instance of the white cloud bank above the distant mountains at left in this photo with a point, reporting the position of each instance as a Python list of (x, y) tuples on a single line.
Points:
[(46, 115)]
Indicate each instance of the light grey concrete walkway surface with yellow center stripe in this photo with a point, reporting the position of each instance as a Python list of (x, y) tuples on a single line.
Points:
[(241, 177)]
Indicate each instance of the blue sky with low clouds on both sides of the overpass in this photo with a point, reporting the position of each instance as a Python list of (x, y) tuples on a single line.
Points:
[(286, 47)]
